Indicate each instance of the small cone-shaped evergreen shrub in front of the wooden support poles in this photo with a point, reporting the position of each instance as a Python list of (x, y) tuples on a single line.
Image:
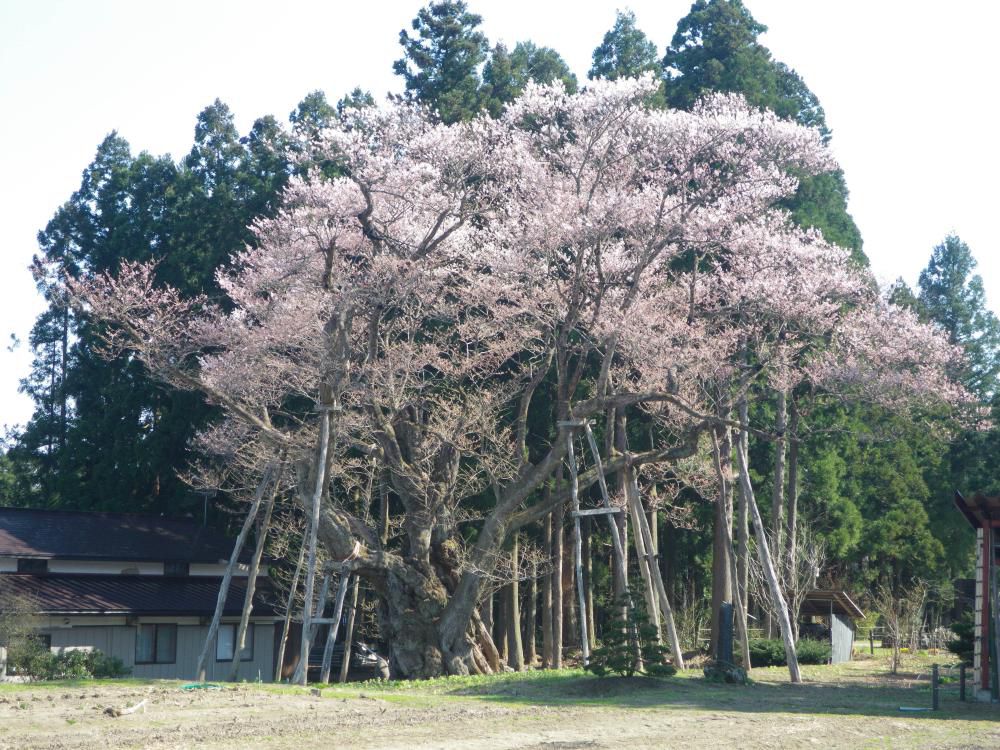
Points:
[(629, 629)]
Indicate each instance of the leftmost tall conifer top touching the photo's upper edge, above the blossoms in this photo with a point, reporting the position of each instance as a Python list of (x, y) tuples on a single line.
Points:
[(441, 60)]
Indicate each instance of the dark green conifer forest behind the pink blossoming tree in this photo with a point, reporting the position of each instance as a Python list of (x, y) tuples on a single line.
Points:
[(871, 488)]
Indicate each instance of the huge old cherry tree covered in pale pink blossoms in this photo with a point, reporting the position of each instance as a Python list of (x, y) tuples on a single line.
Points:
[(580, 254)]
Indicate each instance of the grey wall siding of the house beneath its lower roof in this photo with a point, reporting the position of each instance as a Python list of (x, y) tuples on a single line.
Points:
[(120, 641)]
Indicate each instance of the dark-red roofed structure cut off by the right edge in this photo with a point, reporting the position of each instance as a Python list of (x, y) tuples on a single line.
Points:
[(983, 514)]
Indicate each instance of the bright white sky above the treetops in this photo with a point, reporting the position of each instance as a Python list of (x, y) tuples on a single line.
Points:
[(909, 89)]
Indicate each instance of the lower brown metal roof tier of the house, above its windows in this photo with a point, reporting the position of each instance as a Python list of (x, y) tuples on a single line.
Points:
[(138, 595)]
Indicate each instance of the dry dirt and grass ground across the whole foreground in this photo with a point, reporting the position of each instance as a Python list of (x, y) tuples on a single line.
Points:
[(539, 710)]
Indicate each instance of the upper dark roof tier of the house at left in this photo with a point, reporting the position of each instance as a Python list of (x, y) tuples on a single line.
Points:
[(107, 536)]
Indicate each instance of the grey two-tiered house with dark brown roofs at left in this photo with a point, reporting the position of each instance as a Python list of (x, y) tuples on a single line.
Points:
[(136, 587)]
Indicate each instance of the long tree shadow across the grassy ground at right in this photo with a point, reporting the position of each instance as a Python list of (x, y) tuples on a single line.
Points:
[(692, 692)]
